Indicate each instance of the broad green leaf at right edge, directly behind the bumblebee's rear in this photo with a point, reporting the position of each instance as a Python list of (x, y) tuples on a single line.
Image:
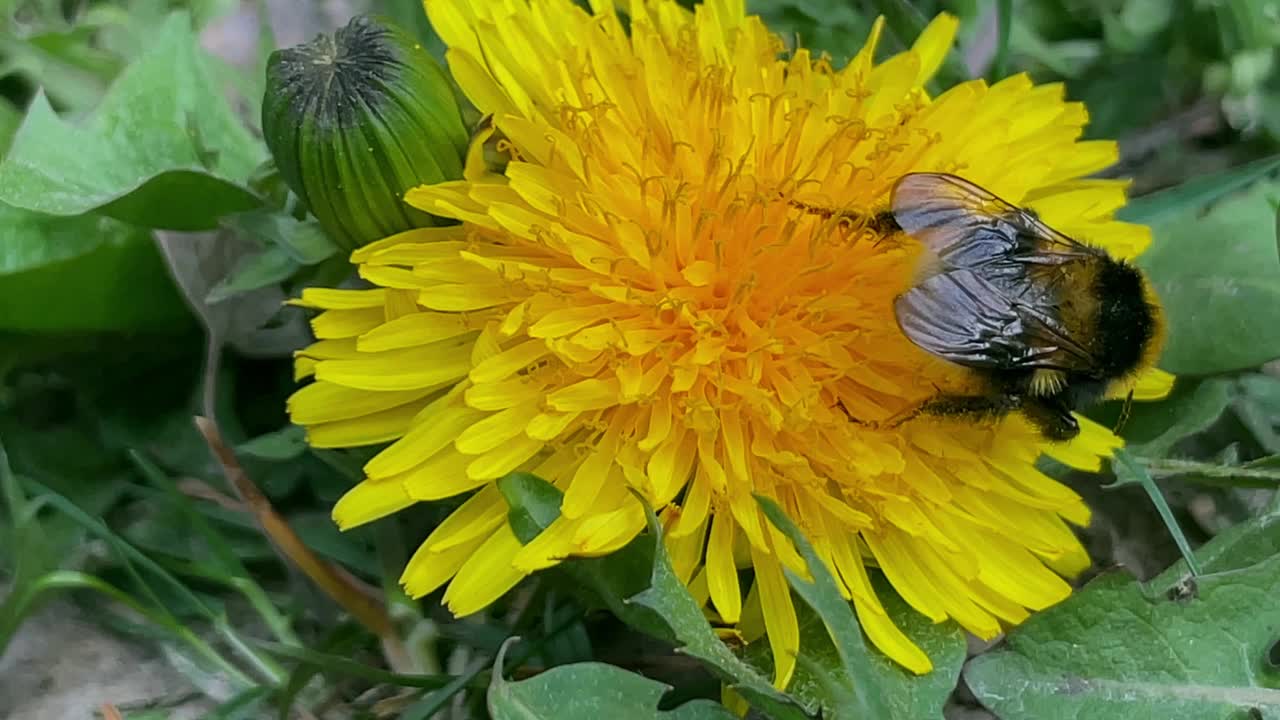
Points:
[(1217, 277)]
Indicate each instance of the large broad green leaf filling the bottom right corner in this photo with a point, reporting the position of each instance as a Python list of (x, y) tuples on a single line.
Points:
[(1176, 649)]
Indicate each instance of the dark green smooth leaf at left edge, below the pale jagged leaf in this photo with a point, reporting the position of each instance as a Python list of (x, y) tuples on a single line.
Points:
[(83, 275)]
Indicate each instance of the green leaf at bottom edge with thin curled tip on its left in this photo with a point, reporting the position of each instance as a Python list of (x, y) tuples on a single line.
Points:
[(588, 691)]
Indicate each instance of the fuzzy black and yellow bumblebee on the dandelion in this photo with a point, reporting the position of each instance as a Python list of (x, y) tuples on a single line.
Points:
[(1046, 325)]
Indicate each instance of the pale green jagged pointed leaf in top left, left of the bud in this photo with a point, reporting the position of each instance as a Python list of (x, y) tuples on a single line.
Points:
[(162, 151)]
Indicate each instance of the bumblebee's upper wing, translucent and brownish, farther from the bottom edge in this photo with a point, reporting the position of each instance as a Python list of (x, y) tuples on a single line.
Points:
[(967, 227)]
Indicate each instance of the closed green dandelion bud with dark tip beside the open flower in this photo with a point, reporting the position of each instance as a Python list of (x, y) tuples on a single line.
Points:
[(356, 120)]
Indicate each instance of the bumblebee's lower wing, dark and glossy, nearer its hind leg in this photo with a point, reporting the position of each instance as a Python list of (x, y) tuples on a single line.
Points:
[(962, 317)]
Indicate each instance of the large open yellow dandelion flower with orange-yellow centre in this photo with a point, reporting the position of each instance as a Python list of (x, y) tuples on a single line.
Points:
[(638, 302)]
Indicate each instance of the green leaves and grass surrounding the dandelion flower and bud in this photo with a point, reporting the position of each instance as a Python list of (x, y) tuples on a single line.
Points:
[(141, 220)]
